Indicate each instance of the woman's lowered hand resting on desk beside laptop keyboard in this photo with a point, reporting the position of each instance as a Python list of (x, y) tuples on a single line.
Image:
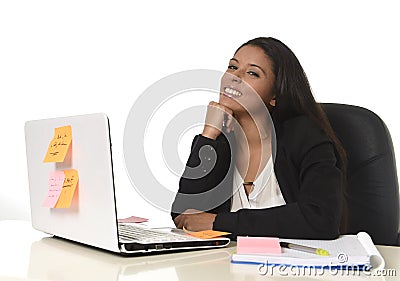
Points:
[(195, 220)]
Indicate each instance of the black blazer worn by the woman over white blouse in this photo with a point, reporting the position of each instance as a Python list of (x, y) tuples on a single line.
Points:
[(307, 171)]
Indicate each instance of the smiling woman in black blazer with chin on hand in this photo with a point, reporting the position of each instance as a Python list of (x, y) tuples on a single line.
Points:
[(245, 189)]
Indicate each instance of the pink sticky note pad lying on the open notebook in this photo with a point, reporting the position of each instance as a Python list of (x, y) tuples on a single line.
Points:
[(258, 245)]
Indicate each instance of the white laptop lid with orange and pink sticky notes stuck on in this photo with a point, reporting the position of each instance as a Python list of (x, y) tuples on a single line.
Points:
[(87, 212)]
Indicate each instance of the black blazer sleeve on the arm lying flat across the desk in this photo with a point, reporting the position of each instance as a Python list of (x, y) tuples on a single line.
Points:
[(307, 172)]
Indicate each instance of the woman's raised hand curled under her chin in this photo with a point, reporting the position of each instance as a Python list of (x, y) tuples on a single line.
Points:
[(217, 116)]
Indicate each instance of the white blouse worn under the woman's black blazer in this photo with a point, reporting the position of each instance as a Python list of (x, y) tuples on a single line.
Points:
[(266, 192)]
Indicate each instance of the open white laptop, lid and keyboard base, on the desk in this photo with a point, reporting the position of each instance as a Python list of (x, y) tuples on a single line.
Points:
[(91, 217)]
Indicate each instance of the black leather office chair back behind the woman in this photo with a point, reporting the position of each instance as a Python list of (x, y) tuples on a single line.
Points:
[(372, 185)]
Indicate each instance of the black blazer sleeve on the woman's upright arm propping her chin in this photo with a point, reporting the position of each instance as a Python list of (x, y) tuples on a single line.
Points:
[(204, 184)]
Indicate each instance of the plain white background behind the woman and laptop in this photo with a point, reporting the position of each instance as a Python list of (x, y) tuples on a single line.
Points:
[(62, 58)]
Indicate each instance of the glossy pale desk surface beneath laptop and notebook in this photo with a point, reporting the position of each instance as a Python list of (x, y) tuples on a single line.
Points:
[(27, 254)]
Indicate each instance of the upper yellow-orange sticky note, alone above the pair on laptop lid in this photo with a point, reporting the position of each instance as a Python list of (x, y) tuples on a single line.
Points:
[(59, 145)]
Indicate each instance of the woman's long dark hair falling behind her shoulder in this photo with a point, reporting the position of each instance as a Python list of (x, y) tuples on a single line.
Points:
[(294, 97)]
